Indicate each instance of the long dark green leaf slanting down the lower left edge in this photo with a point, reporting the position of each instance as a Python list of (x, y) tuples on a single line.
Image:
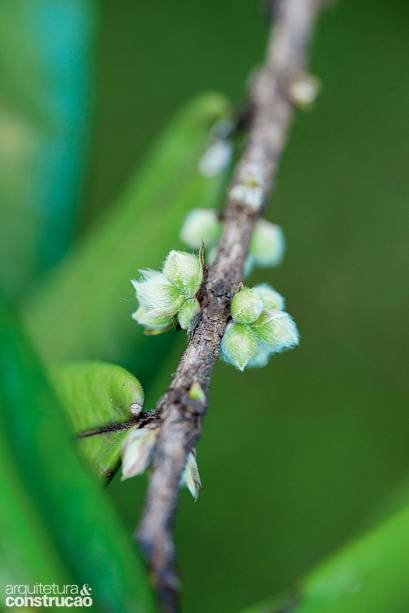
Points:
[(78, 515)]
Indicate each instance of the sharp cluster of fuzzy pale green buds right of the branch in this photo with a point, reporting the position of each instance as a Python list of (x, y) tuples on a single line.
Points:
[(259, 328)]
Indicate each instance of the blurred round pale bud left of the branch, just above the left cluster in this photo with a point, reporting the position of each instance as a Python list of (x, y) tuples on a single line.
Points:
[(201, 226)]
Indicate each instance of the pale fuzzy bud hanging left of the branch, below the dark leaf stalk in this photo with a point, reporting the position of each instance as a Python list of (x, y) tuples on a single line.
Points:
[(137, 451)]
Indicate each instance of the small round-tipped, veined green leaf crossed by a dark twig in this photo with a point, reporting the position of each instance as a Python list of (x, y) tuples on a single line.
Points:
[(95, 394)]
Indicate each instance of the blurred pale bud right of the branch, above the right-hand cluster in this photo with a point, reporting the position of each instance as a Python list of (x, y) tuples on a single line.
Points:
[(267, 244)]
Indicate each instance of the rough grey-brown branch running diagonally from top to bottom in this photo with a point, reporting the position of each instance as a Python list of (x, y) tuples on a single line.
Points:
[(181, 417)]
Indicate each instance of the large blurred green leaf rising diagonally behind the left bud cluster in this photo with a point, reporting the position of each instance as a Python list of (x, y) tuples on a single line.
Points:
[(84, 309)]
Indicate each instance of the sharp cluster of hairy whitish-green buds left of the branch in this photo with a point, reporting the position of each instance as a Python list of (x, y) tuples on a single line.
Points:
[(169, 296)]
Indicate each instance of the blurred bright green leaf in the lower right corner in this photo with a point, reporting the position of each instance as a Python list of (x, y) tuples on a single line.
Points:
[(371, 574)]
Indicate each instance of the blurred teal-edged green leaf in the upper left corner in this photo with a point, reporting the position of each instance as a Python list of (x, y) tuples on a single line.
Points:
[(44, 110)]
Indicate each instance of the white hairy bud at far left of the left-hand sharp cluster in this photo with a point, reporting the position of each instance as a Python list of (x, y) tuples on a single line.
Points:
[(155, 292)]
